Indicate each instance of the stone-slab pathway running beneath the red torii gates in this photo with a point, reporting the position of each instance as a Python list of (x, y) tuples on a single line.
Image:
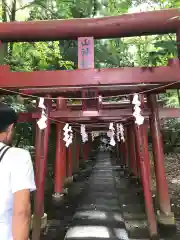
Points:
[(110, 208)]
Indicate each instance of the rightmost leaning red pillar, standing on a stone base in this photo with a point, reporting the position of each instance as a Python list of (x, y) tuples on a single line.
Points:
[(158, 154)]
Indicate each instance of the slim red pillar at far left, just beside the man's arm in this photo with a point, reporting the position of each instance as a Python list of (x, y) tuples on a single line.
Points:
[(40, 177)]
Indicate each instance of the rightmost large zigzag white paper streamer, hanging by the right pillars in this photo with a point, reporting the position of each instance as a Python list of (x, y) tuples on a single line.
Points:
[(139, 119)]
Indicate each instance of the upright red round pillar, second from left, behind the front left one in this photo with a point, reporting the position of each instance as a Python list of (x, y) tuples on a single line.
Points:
[(60, 162)]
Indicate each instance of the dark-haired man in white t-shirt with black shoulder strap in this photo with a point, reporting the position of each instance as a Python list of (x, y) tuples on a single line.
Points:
[(16, 181)]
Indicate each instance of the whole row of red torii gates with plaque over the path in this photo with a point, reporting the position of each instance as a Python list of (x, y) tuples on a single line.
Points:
[(88, 84)]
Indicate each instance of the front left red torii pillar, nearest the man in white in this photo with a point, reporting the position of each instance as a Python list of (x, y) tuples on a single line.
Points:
[(42, 139)]
